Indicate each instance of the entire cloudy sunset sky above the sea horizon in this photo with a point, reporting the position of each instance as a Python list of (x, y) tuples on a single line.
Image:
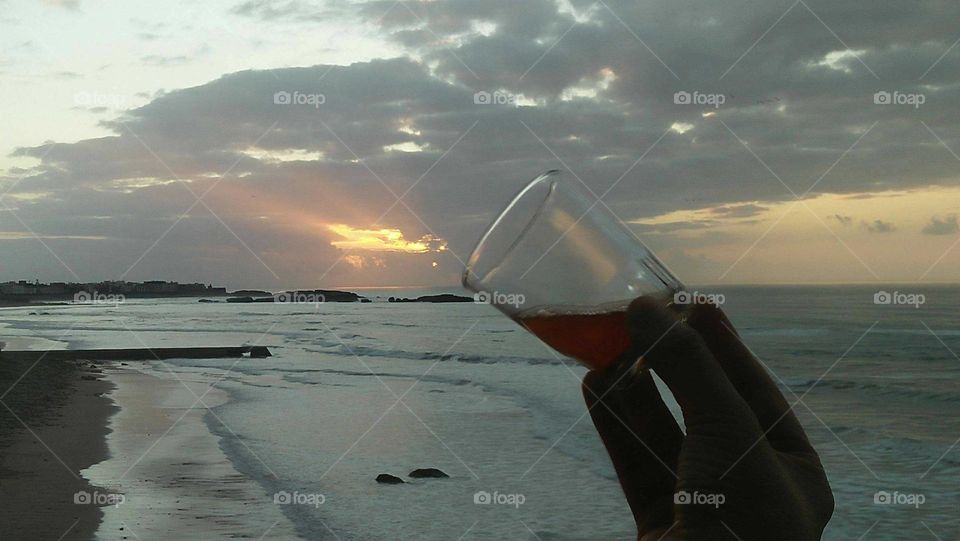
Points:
[(338, 143)]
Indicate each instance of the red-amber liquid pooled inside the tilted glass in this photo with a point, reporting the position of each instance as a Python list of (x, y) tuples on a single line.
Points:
[(596, 340)]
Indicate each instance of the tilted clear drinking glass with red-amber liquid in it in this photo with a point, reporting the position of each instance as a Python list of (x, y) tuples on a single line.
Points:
[(560, 264)]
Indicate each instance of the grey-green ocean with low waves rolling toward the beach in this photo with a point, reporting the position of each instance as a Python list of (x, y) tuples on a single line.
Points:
[(356, 390)]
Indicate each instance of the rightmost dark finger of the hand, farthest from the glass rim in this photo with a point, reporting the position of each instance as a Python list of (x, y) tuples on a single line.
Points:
[(750, 379)]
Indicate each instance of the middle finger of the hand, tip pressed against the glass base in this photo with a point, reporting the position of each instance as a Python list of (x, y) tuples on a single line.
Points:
[(680, 357)]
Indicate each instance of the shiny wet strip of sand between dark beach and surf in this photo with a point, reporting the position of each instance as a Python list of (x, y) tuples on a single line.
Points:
[(171, 468)]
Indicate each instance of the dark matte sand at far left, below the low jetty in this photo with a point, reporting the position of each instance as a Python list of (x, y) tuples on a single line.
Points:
[(42, 492)]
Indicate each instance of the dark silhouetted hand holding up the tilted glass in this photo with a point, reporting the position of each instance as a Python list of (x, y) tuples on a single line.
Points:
[(744, 470)]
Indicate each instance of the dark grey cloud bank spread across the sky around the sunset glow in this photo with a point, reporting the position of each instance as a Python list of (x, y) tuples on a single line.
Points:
[(581, 85)]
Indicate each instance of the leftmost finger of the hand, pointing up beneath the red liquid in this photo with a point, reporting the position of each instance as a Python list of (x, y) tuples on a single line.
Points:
[(643, 441)]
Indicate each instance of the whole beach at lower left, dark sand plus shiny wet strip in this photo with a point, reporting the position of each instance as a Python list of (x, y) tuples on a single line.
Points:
[(111, 452)]
